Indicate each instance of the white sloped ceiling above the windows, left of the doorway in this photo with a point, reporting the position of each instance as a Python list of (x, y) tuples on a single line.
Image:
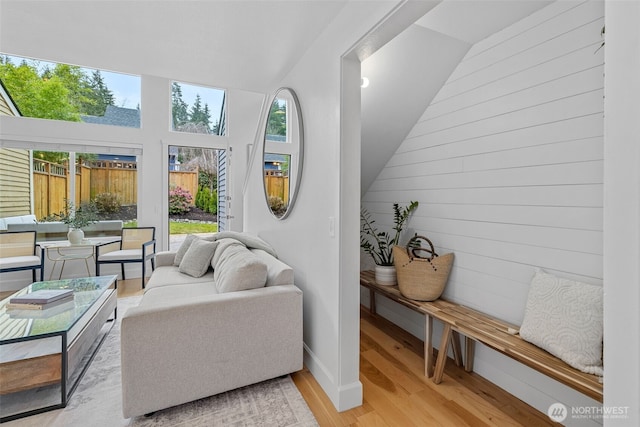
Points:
[(248, 45)]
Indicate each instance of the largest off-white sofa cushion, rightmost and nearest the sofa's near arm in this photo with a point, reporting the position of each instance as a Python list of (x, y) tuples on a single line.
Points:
[(238, 269)]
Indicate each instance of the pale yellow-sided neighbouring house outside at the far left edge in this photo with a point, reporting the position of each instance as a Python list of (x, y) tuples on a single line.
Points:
[(15, 169)]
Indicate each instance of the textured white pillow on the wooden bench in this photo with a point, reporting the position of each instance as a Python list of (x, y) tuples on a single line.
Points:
[(564, 317)]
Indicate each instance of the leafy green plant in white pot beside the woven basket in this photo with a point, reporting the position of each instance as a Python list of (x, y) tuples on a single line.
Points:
[(379, 244)]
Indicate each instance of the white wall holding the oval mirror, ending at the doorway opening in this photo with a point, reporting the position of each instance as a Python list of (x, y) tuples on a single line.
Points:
[(320, 225)]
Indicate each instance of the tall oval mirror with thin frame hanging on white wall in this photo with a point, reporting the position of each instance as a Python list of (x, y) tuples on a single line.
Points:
[(283, 150)]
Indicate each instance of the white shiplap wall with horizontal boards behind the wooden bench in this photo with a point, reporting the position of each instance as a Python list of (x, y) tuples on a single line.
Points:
[(507, 164)]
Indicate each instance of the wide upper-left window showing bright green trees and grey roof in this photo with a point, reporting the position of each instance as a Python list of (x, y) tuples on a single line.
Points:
[(49, 90)]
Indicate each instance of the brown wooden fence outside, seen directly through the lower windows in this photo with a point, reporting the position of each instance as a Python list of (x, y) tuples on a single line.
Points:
[(51, 183)]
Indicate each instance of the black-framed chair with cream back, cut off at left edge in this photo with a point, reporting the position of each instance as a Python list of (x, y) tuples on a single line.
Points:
[(19, 252)]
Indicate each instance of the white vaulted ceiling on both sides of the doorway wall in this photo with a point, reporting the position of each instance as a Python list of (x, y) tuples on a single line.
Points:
[(251, 45)]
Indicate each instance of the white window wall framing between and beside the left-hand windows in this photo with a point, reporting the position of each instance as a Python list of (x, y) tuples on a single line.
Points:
[(151, 143)]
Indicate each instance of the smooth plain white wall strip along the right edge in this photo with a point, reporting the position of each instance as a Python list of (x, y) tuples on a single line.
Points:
[(622, 211)]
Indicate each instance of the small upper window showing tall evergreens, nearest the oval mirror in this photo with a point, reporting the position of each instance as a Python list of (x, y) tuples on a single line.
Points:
[(197, 109)]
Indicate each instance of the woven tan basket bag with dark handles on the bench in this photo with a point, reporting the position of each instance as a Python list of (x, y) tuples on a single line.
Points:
[(421, 278)]
